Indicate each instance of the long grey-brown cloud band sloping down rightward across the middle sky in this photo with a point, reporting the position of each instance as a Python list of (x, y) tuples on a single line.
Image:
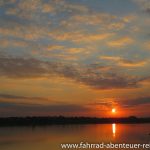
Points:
[(94, 76)]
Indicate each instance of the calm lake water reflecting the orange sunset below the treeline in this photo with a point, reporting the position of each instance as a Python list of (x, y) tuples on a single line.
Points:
[(50, 138)]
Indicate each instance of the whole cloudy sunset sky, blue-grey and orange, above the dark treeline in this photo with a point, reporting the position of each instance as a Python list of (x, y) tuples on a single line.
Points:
[(74, 58)]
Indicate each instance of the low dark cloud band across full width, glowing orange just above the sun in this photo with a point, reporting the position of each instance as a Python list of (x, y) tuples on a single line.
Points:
[(21, 108)]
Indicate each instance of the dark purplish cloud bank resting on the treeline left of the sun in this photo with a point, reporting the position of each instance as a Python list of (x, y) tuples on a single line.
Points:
[(19, 109)]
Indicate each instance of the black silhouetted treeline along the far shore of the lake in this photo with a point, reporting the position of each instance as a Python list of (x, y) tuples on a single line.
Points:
[(43, 121)]
